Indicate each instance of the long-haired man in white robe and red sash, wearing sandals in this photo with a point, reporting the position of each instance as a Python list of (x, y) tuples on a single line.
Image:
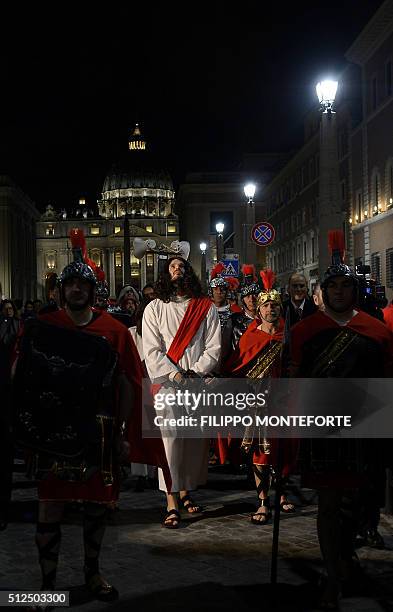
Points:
[(181, 337)]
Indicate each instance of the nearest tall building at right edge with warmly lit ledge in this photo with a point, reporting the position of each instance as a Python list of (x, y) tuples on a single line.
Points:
[(371, 149)]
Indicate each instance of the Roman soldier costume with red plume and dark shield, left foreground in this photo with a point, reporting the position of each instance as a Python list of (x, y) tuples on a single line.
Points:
[(72, 398)]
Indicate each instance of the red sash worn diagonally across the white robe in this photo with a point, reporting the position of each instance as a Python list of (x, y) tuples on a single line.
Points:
[(196, 311)]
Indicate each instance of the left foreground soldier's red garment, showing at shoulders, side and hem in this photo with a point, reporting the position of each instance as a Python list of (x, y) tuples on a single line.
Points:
[(150, 451)]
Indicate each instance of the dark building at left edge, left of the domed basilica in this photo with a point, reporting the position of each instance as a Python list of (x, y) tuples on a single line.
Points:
[(18, 216)]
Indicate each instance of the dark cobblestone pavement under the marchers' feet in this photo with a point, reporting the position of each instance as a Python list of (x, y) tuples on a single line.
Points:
[(216, 562)]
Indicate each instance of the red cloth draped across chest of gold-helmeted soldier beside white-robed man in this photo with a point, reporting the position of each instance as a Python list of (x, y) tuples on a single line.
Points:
[(250, 344)]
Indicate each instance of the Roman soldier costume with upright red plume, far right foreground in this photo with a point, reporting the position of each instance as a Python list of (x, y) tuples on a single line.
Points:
[(343, 470)]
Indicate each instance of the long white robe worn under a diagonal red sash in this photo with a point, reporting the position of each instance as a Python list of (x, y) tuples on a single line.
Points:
[(187, 457)]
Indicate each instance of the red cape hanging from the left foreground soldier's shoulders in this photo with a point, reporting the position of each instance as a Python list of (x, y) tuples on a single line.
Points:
[(143, 450)]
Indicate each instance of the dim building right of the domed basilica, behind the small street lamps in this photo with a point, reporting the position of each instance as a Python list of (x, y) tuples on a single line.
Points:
[(207, 198)]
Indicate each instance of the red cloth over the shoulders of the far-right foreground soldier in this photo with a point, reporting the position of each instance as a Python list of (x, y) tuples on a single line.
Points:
[(361, 323)]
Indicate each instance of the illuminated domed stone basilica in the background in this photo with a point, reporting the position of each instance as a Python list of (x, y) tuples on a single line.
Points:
[(134, 191)]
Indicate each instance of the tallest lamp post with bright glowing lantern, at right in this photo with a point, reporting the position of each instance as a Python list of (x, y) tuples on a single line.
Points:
[(330, 215)]
